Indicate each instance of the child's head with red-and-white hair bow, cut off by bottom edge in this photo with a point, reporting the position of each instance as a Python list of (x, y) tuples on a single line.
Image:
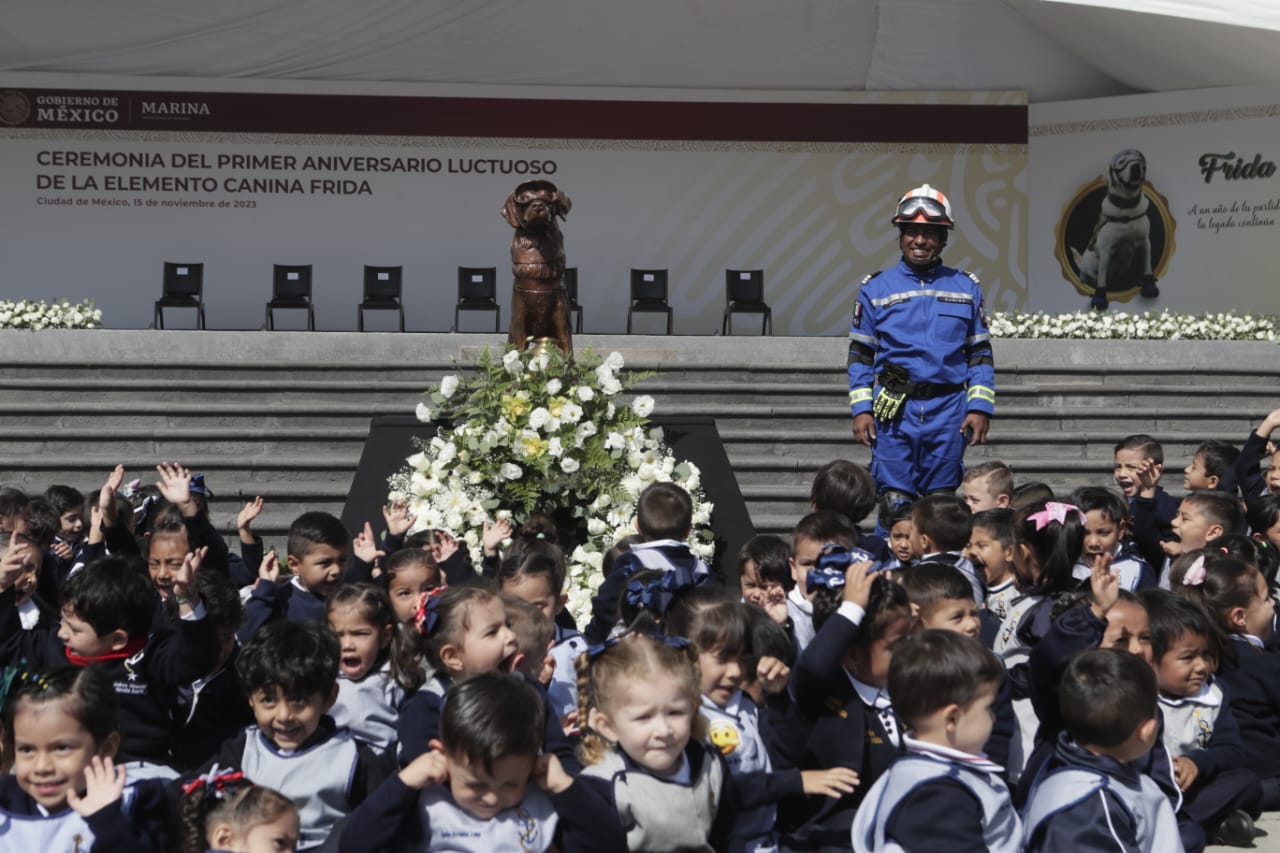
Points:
[(225, 811)]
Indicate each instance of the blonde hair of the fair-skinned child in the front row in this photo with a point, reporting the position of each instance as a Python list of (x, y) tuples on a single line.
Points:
[(628, 662)]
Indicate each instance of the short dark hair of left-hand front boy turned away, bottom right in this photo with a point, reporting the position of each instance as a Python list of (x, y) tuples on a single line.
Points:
[(934, 669)]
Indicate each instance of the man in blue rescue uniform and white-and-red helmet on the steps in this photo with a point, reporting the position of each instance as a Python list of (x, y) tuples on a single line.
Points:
[(921, 372)]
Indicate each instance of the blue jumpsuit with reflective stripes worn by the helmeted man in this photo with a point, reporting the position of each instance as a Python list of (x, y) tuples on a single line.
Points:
[(932, 326)]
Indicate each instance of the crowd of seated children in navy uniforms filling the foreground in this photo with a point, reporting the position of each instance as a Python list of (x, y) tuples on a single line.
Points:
[(1004, 669)]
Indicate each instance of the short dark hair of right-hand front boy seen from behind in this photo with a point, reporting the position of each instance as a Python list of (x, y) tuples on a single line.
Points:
[(1105, 696)]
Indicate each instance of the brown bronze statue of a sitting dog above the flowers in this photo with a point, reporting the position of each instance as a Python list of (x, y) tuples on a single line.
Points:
[(540, 308)]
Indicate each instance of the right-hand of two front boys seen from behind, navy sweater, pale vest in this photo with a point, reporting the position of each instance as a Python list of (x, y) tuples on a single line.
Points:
[(1092, 795)]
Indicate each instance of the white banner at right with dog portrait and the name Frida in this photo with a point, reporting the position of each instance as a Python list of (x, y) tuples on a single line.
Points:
[(1208, 218)]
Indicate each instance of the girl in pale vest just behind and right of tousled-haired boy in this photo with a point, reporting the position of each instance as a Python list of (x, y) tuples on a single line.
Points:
[(376, 670)]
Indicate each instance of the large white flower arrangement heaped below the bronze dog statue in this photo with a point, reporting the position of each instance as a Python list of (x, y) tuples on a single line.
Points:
[(540, 432)]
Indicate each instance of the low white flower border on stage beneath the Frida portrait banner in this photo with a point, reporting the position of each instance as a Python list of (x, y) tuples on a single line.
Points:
[(1149, 326)]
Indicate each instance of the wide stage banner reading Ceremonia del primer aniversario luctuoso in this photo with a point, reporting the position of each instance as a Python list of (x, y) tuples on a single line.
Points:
[(106, 180)]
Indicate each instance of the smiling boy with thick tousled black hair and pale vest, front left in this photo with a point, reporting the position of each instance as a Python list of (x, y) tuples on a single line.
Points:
[(290, 673)]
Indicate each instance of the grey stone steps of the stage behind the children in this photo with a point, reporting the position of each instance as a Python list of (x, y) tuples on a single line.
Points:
[(287, 414)]
